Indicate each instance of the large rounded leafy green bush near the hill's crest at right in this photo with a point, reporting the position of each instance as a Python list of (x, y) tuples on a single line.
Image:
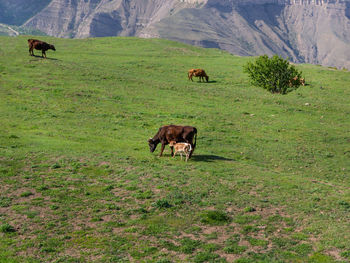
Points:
[(274, 74)]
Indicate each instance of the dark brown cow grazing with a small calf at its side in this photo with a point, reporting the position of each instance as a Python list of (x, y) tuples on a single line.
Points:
[(176, 133)]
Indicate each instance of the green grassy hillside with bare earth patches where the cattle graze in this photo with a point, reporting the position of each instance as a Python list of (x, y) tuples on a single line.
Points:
[(268, 182)]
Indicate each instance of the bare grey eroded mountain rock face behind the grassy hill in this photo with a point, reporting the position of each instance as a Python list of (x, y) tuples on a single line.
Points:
[(311, 31)]
